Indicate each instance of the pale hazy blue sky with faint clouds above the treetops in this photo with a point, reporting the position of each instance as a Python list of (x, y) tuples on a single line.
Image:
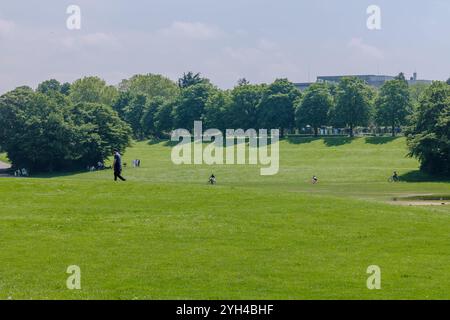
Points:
[(258, 40)]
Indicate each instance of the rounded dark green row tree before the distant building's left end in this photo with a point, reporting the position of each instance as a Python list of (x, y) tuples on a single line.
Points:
[(314, 107)]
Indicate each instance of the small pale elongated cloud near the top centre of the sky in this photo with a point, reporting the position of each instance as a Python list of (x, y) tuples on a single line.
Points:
[(191, 30)]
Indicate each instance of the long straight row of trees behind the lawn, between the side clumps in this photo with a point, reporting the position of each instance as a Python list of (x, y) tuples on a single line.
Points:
[(349, 104)]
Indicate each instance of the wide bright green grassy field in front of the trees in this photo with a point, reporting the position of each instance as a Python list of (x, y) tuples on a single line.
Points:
[(166, 234)]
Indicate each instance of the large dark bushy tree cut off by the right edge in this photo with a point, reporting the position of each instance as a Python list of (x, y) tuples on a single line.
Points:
[(429, 136)]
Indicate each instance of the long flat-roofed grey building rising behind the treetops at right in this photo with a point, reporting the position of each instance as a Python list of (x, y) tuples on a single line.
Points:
[(372, 80)]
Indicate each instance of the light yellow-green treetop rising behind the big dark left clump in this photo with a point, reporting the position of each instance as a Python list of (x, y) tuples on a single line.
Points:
[(92, 90)]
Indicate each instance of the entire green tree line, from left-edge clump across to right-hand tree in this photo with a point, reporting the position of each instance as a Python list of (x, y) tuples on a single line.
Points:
[(60, 126)]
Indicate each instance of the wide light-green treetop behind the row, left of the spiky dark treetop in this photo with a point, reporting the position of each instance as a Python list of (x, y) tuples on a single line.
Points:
[(149, 85)]
